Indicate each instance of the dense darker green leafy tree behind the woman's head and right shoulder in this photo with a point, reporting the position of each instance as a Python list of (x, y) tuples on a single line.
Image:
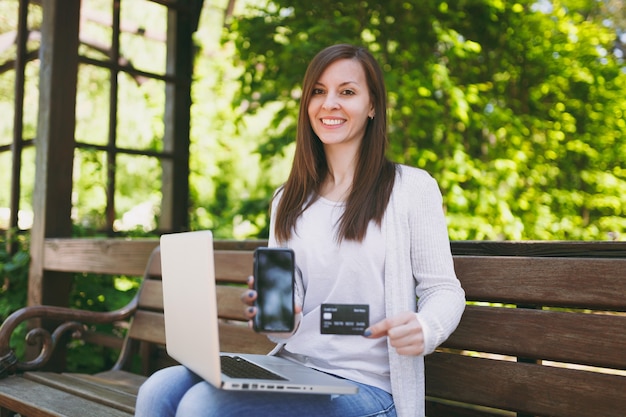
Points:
[(517, 110)]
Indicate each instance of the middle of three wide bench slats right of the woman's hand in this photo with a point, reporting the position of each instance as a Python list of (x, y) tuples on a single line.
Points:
[(538, 334)]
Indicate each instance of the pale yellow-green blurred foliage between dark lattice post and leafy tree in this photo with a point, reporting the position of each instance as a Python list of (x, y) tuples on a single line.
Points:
[(229, 184)]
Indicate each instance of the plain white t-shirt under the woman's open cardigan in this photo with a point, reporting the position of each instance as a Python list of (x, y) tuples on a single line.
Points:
[(346, 273)]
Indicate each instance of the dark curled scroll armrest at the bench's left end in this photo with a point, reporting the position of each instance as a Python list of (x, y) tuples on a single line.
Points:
[(73, 320)]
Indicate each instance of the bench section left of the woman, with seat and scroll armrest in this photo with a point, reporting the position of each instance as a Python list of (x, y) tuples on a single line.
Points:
[(113, 392)]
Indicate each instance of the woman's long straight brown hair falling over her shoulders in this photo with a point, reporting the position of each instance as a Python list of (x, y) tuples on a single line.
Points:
[(374, 175)]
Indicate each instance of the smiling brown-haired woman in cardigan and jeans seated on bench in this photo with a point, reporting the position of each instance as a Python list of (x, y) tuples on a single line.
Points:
[(365, 231)]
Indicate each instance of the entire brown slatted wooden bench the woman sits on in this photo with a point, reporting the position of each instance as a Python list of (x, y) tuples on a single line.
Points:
[(544, 333)]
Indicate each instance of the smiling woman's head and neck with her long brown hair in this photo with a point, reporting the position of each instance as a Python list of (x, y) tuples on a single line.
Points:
[(342, 83)]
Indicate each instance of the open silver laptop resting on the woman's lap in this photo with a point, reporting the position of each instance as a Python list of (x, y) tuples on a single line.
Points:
[(188, 274)]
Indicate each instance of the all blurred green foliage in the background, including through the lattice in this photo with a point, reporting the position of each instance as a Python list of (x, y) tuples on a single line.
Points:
[(517, 108)]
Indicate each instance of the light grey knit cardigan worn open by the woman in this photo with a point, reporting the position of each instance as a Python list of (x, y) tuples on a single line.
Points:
[(419, 276)]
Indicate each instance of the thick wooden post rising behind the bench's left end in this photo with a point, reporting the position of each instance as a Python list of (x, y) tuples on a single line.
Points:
[(52, 197)]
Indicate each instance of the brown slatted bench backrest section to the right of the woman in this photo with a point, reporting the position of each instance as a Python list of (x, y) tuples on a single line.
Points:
[(541, 336)]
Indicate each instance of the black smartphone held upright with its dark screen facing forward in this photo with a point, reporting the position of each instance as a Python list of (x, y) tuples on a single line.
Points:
[(274, 273)]
